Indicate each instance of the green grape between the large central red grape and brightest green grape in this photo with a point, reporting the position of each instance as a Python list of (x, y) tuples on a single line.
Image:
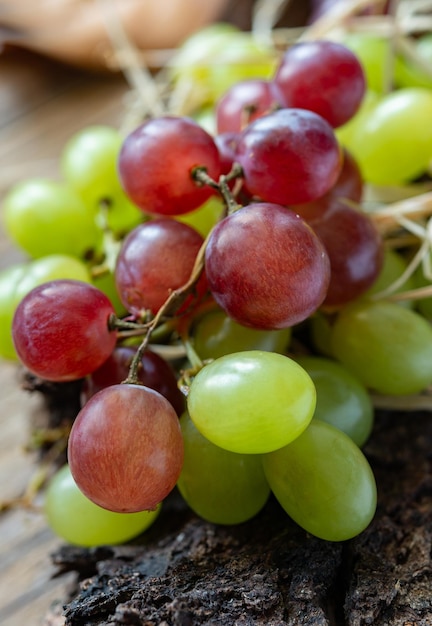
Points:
[(216, 334)]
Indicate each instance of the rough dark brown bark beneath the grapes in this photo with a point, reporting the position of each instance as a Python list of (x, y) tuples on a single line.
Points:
[(186, 572)]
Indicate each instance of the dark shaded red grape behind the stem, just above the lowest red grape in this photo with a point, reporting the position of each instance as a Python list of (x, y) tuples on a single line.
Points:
[(153, 372)]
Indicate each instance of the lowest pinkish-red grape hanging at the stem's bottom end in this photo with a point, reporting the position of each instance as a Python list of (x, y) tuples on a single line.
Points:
[(126, 448)]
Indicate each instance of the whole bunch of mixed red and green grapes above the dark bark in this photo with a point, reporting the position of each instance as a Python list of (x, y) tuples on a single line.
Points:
[(223, 251)]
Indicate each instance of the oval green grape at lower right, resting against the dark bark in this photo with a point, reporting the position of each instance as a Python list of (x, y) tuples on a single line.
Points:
[(324, 482)]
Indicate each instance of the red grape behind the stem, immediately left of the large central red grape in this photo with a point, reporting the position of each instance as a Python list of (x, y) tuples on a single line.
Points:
[(156, 258)]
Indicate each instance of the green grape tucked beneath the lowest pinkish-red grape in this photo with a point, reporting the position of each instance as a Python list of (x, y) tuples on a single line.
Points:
[(76, 519)]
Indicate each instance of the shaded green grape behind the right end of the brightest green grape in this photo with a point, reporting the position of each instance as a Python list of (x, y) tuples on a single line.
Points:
[(342, 400)]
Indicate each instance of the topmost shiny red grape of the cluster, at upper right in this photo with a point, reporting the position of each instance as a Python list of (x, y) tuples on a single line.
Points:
[(322, 76)]
